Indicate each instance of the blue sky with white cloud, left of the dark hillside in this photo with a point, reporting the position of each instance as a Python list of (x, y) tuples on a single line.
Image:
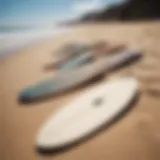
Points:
[(47, 11)]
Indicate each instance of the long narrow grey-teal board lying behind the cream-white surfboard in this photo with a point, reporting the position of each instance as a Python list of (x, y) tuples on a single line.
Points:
[(64, 81)]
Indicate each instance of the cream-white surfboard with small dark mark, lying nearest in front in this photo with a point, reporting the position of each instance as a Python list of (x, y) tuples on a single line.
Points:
[(93, 109)]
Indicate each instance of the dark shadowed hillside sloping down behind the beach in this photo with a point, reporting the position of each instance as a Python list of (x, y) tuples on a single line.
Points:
[(129, 10)]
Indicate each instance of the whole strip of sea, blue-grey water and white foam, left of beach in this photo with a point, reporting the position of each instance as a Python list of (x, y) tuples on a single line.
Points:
[(15, 38)]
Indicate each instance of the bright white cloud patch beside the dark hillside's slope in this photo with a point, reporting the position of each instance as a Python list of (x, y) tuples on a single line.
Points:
[(87, 6)]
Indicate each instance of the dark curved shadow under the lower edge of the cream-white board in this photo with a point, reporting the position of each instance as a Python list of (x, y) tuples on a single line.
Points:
[(72, 145)]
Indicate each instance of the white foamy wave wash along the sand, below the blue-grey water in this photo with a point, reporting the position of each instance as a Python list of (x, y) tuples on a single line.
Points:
[(11, 43)]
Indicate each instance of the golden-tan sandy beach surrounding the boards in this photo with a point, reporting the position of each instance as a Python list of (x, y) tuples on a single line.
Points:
[(135, 137)]
